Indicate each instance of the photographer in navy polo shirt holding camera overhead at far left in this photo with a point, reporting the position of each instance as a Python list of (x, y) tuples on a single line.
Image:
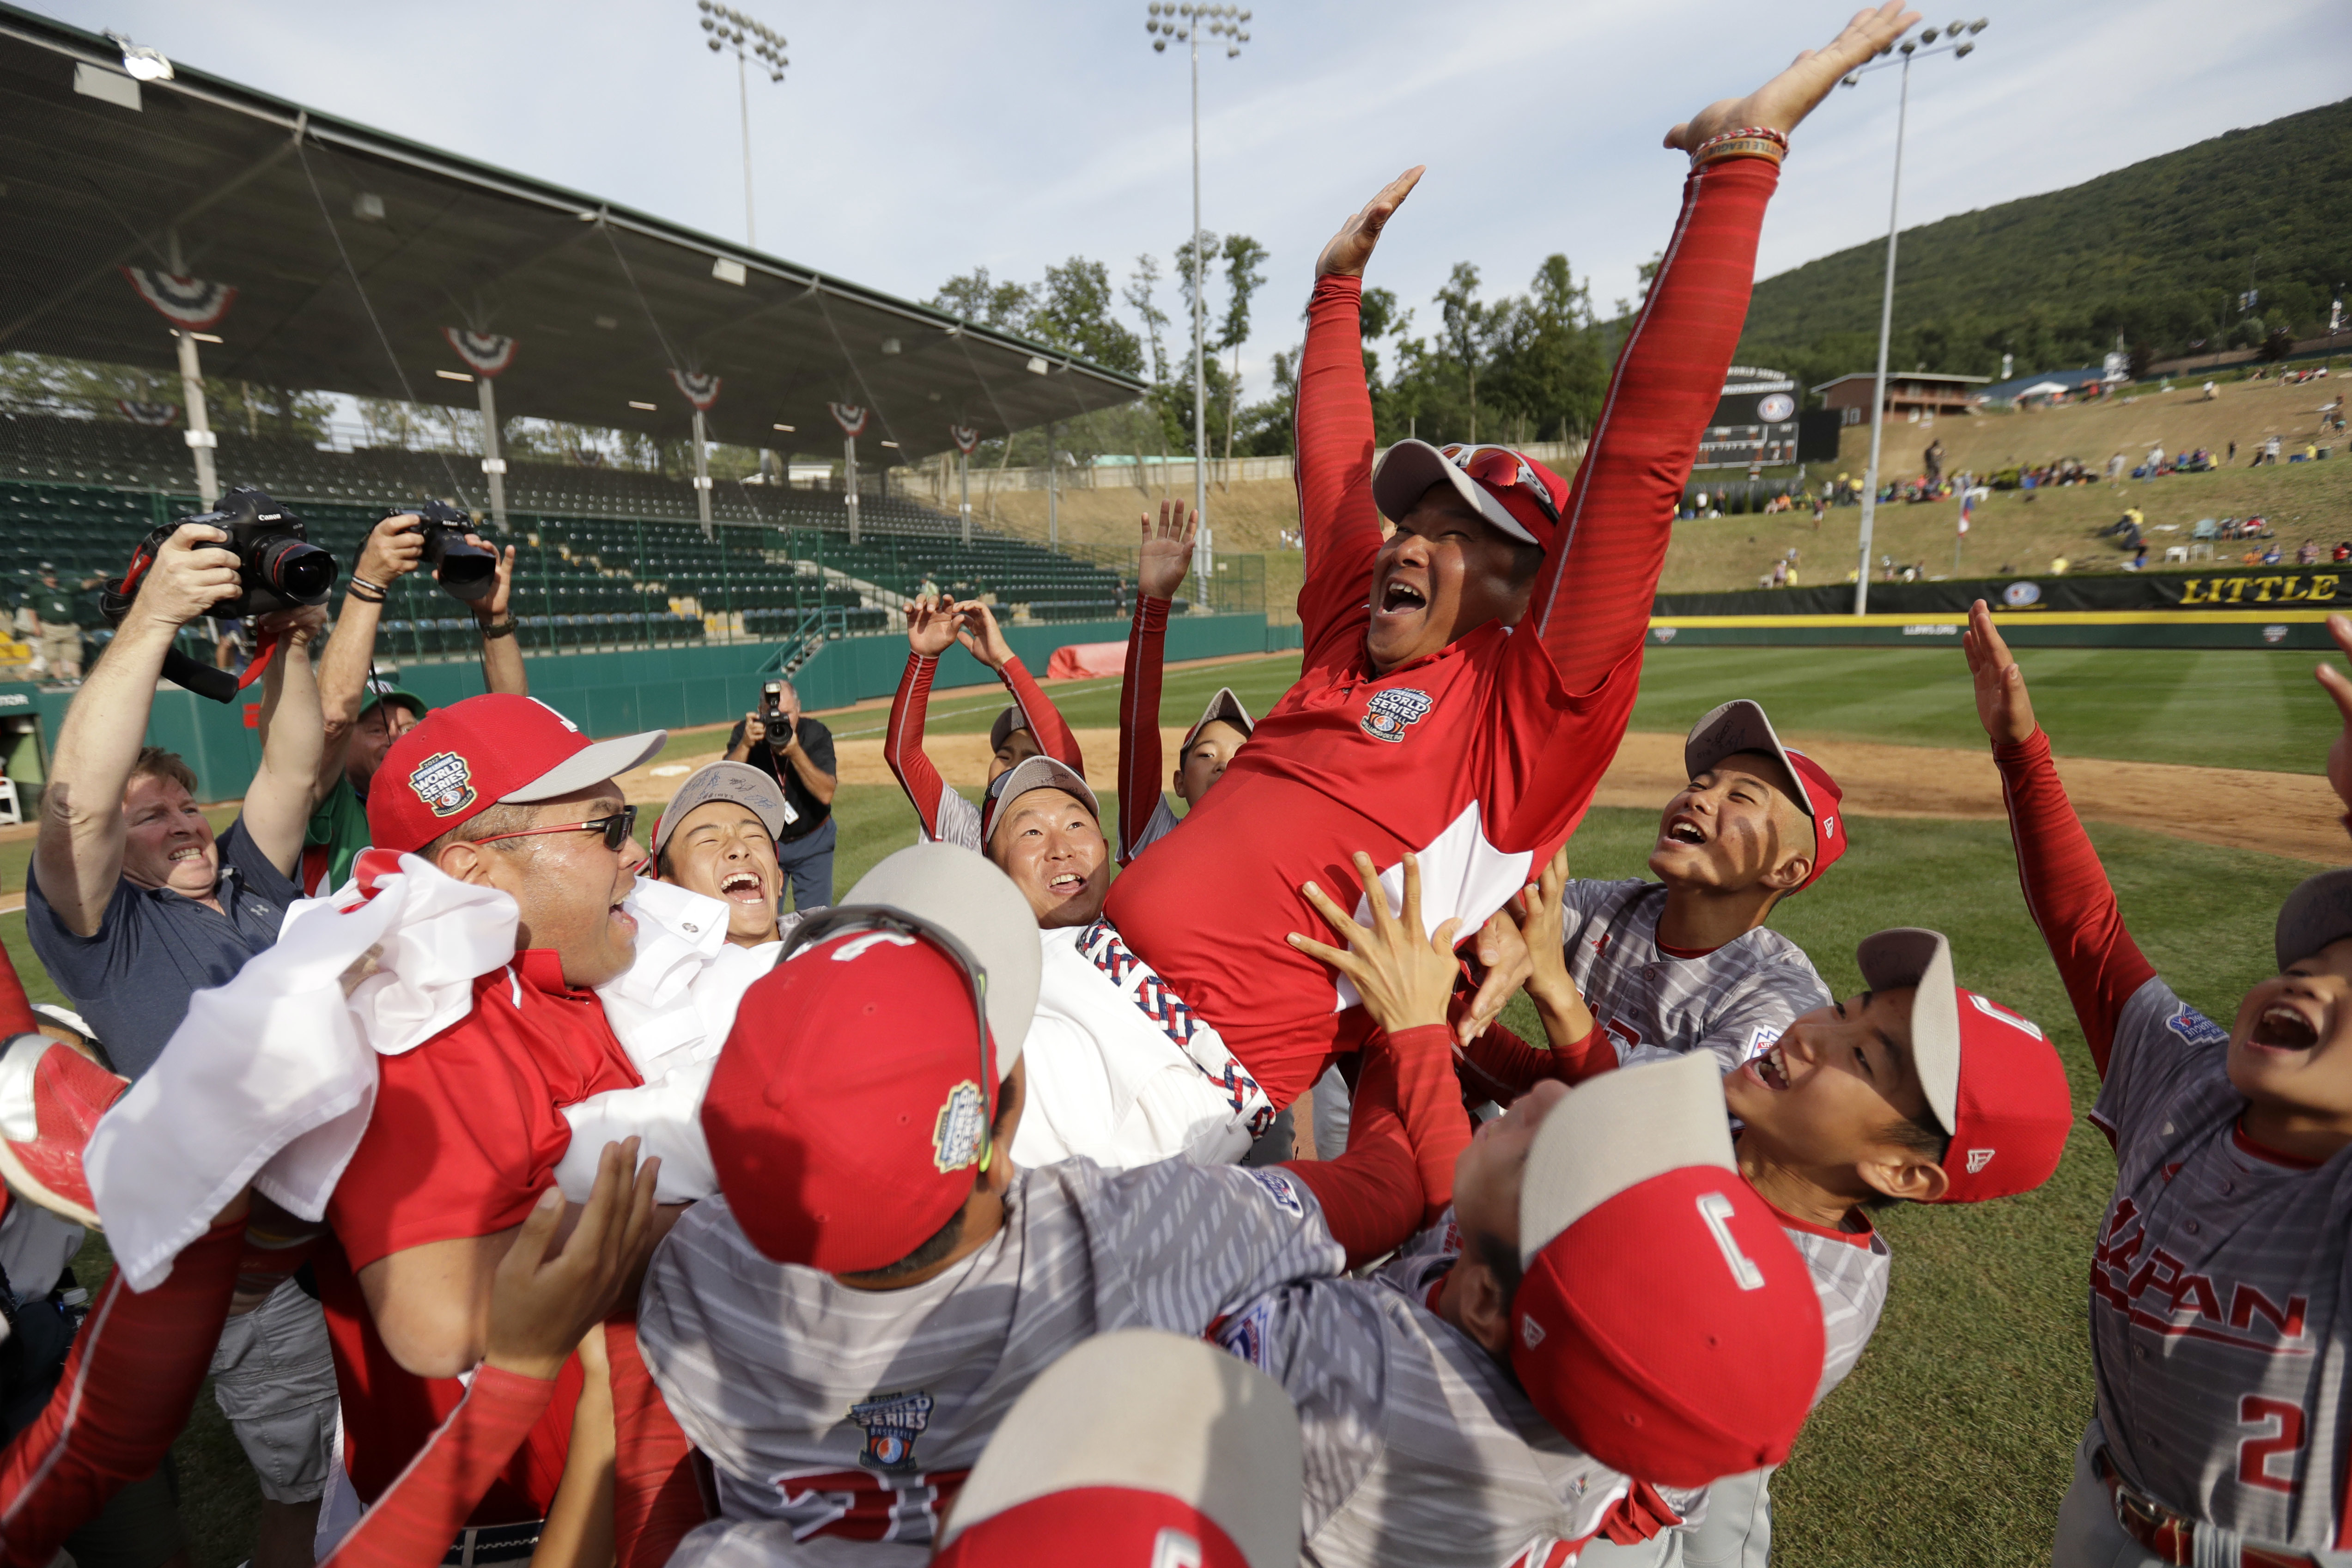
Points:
[(135, 906)]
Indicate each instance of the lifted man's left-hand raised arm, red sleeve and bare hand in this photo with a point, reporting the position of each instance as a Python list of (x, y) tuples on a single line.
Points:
[(1337, 521)]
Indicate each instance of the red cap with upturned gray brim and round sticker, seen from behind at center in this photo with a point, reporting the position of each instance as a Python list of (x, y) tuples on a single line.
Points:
[(850, 1108)]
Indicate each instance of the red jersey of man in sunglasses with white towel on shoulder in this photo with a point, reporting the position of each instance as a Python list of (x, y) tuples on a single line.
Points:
[(462, 1141)]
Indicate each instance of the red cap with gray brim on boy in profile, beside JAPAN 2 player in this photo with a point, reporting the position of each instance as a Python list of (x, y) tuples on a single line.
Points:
[(1991, 1076)]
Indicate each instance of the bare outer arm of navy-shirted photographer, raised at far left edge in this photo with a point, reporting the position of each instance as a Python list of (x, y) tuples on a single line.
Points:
[(79, 855)]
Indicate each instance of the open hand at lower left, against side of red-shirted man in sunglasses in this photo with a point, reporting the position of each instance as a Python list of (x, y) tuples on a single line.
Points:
[(540, 1308)]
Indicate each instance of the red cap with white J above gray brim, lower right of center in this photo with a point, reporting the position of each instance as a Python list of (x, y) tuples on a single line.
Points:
[(1664, 1325)]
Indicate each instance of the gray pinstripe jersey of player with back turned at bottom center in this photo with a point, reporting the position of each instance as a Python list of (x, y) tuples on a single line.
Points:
[(857, 1412)]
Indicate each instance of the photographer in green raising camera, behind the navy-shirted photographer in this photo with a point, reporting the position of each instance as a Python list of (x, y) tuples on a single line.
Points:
[(363, 713)]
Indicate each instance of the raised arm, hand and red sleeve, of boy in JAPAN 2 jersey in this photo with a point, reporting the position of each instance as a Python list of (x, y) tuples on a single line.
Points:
[(2066, 887)]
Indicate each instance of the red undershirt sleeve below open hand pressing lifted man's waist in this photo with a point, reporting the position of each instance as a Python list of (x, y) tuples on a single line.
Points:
[(1405, 1132)]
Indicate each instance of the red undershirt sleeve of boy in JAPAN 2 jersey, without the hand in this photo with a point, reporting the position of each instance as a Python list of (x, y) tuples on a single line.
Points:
[(2069, 894)]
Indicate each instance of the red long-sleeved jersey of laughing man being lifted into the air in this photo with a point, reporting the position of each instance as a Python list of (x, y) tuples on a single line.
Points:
[(1483, 756)]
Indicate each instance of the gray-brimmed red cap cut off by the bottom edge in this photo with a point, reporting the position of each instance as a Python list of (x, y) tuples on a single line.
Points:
[(1137, 1447)]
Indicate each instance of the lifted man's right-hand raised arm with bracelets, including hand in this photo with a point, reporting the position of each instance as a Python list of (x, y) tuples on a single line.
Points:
[(1671, 373)]
